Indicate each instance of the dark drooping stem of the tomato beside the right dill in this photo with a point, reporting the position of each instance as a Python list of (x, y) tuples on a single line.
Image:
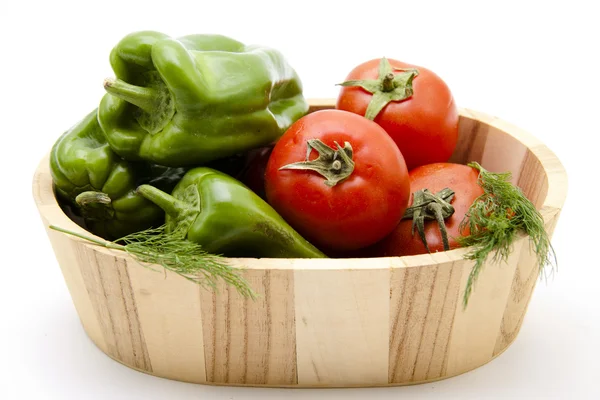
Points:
[(430, 206)]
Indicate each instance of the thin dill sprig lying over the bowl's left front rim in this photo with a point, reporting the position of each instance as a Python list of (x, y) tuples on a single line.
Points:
[(174, 253)]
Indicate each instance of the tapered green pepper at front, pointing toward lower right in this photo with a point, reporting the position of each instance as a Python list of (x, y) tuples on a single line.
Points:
[(225, 217)]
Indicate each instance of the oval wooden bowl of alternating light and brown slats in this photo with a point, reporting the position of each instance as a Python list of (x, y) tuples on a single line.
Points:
[(317, 322)]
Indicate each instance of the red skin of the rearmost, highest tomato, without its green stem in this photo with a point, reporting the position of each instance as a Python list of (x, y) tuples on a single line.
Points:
[(424, 126)]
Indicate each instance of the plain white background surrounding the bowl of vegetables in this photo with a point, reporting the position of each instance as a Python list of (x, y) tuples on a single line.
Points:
[(534, 64)]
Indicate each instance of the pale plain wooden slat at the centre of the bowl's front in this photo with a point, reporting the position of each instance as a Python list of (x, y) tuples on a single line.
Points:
[(342, 324)]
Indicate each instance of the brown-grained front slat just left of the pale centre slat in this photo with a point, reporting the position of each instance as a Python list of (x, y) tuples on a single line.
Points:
[(251, 341)]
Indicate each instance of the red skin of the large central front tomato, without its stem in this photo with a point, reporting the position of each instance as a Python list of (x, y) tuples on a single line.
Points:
[(356, 212)]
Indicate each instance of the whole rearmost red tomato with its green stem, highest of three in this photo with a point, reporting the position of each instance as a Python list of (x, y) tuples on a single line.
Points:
[(413, 104)]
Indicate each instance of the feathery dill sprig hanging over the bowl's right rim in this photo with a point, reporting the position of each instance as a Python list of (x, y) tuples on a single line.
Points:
[(495, 219)]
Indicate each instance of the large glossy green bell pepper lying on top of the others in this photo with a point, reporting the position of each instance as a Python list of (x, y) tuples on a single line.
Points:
[(198, 98)]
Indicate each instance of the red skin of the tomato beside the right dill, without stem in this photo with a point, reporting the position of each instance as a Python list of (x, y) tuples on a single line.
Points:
[(435, 177)]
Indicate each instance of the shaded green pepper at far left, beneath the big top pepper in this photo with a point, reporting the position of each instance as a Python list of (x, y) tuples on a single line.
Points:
[(100, 187)]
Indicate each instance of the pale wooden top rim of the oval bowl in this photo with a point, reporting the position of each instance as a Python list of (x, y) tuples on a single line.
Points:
[(554, 201)]
